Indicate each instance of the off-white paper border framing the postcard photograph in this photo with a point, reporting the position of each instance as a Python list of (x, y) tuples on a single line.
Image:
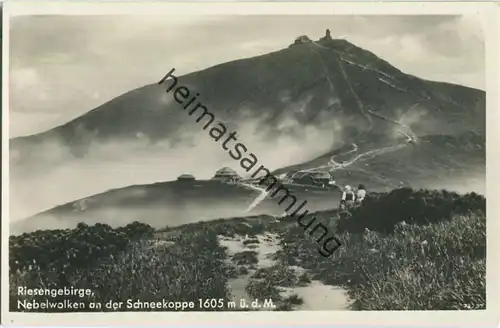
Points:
[(488, 11)]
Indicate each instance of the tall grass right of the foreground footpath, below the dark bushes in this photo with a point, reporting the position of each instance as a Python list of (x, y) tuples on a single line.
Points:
[(434, 267)]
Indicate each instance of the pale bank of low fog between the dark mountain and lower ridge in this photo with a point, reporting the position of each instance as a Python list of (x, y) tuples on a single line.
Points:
[(57, 177)]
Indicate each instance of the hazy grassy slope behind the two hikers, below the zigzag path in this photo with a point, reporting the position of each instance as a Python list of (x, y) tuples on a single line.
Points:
[(448, 157)]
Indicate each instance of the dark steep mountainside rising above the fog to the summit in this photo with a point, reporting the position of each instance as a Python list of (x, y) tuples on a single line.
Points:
[(316, 83)]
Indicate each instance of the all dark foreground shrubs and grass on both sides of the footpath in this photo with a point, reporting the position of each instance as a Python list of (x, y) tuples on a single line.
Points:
[(403, 250)]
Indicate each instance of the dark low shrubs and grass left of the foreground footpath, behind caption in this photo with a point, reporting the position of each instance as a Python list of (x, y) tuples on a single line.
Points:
[(129, 269)]
